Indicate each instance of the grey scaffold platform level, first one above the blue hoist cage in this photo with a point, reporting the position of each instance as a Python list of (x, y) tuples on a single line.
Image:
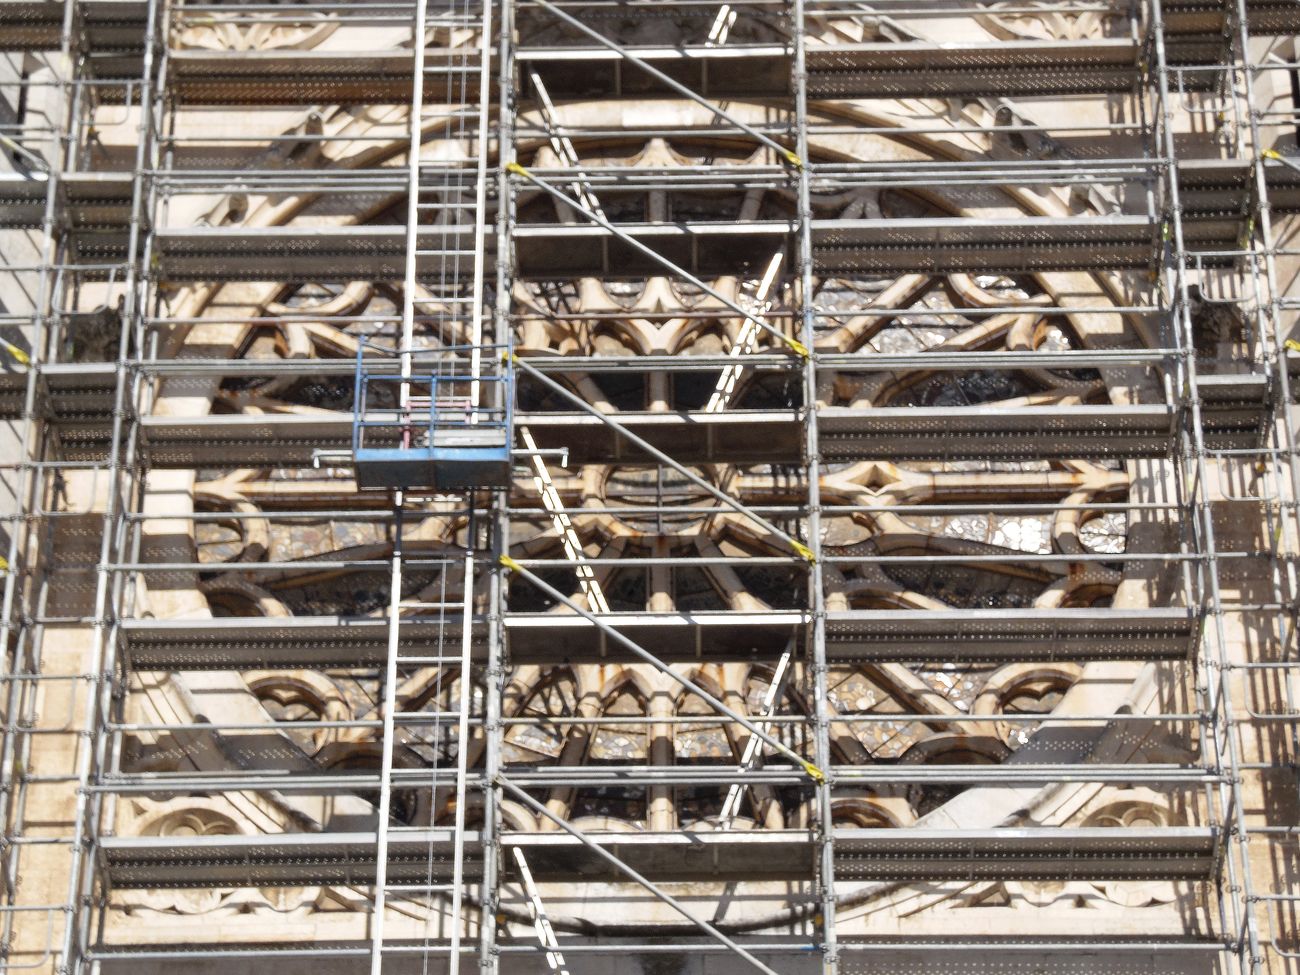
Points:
[(553, 252)]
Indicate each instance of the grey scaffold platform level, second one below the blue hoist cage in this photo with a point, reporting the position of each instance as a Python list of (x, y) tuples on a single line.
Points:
[(1042, 853)]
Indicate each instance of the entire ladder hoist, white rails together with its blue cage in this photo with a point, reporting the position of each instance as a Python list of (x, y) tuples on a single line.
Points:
[(448, 434)]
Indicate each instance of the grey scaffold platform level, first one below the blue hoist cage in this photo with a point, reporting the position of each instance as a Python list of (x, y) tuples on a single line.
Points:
[(853, 636)]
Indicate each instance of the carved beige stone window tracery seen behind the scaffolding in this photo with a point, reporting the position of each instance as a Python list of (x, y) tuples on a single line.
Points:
[(609, 318)]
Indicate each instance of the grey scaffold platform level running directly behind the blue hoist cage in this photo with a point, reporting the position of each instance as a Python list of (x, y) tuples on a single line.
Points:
[(774, 436)]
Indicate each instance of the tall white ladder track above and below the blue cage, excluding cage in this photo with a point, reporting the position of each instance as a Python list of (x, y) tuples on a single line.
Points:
[(453, 219)]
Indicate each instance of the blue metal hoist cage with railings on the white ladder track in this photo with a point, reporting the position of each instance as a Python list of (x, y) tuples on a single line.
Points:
[(453, 434)]
